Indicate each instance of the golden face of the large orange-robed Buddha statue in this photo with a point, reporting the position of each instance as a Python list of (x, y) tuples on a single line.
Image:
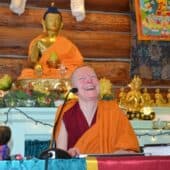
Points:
[(53, 22)]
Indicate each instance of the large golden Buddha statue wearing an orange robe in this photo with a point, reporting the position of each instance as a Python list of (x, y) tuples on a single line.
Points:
[(50, 55)]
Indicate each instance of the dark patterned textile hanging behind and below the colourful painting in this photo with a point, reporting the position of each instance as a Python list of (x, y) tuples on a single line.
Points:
[(149, 59)]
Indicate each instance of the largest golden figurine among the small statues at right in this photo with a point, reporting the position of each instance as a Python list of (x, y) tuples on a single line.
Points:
[(134, 98)]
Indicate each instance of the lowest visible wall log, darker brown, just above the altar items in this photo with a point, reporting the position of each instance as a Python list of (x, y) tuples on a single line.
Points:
[(117, 72)]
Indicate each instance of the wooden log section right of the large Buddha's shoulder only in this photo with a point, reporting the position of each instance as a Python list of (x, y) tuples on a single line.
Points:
[(101, 44)]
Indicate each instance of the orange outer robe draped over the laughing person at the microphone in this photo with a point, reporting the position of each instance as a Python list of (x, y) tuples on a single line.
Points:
[(107, 134)]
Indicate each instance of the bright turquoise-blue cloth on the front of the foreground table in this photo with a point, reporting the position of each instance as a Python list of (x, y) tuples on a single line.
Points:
[(36, 164)]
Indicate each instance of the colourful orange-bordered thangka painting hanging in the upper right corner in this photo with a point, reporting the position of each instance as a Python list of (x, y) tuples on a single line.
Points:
[(153, 19)]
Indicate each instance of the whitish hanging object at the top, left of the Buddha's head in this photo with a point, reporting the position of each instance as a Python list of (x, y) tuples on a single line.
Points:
[(18, 6)]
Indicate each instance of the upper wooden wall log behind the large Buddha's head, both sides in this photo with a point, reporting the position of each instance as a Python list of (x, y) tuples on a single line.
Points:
[(93, 22)]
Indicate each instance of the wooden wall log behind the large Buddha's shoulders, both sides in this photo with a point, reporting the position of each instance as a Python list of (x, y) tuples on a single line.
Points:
[(98, 44)]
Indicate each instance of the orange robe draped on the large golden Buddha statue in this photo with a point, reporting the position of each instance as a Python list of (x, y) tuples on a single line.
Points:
[(68, 55)]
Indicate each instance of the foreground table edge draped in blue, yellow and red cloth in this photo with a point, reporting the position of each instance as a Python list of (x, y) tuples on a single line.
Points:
[(91, 163)]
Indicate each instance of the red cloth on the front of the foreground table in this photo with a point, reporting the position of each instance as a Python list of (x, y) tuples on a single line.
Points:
[(134, 163)]
